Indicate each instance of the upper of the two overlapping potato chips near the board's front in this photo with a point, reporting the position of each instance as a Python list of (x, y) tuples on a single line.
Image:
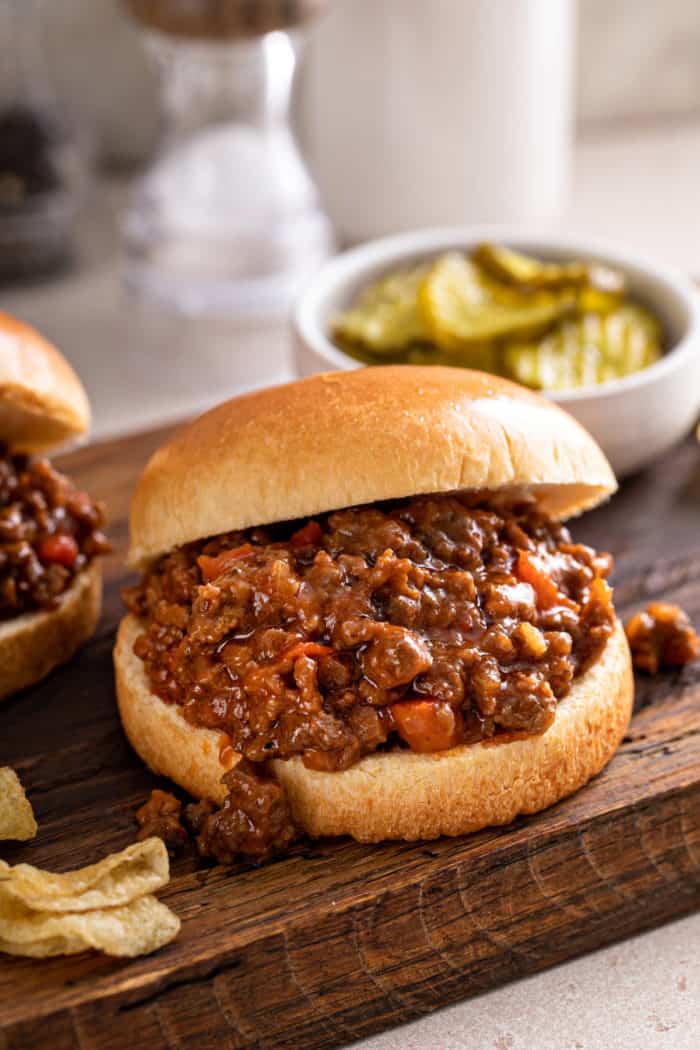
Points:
[(116, 880)]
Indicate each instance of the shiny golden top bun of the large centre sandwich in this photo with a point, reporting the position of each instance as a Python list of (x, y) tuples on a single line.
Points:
[(347, 438)]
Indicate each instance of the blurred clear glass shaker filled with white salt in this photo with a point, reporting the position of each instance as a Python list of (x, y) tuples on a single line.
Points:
[(227, 221)]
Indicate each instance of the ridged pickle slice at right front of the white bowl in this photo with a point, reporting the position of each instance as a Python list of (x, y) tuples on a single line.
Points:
[(587, 351)]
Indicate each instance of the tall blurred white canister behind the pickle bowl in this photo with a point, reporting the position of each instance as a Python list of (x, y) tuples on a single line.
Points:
[(422, 113)]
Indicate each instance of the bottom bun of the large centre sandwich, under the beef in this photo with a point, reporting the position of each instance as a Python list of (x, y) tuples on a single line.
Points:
[(401, 794)]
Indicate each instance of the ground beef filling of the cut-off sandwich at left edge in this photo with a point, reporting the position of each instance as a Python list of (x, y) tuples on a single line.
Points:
[(50, 532)]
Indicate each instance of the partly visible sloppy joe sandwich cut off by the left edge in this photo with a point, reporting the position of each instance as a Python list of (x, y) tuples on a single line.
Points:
[(51, 532)]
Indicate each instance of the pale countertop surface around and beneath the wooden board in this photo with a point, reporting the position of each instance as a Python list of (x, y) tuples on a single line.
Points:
[(142, 368)]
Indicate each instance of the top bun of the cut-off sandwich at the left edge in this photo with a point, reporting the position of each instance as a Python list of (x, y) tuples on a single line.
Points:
[(43, 402)]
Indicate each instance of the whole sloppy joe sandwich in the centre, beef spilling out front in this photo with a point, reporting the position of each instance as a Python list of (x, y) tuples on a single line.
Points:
[(360, 613)]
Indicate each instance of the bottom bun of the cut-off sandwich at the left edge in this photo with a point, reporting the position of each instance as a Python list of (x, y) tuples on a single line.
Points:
[(34, 644)]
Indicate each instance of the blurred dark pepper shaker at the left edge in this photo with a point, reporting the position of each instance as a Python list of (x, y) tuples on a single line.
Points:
[(43, 167)]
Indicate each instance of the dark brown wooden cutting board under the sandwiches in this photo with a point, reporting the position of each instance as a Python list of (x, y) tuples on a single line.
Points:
[(342, 940)]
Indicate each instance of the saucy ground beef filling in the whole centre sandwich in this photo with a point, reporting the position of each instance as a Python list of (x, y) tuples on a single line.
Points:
[(421, 624)]
